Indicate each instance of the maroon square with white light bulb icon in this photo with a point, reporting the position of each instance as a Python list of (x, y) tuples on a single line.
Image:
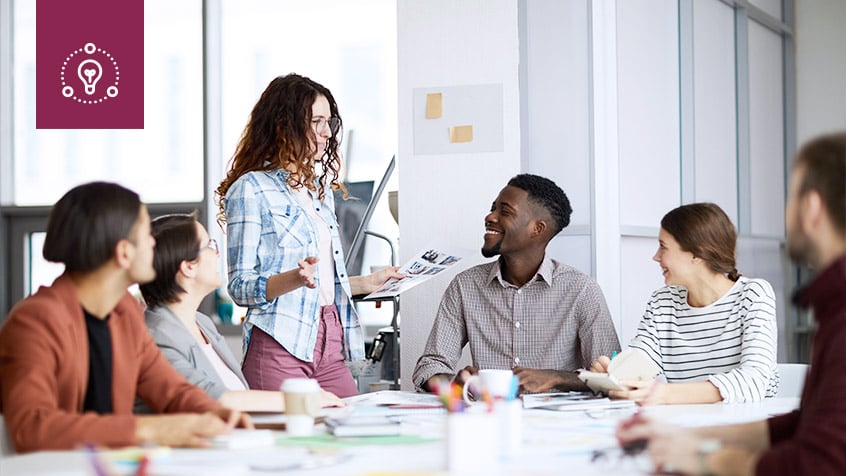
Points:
[(89, 64)]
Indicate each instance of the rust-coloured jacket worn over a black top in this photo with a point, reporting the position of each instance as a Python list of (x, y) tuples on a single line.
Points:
[(44, 373)]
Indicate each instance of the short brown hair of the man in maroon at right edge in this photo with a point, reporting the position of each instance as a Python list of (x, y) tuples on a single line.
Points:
[(824, 163)]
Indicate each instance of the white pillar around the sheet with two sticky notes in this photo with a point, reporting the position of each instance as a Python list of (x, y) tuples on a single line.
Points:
[(443, 43)]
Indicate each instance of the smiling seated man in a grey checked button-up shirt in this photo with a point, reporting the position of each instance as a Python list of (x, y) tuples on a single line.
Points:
[(524, 311)]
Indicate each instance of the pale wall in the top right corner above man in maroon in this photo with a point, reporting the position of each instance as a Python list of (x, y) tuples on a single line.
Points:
[(820, 67)]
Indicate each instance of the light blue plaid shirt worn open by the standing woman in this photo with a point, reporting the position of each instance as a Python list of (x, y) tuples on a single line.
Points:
[(268, 232)]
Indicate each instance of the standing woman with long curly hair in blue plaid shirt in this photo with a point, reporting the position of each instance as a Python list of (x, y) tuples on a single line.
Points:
[(286, 264)]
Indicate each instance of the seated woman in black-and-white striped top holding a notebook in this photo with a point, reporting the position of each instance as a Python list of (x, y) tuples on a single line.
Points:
[(712, 332)]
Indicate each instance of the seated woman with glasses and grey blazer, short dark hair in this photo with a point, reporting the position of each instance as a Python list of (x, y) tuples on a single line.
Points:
[(186, 272)]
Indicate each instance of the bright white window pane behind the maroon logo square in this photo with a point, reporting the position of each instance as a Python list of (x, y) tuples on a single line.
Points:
[(163, 162)]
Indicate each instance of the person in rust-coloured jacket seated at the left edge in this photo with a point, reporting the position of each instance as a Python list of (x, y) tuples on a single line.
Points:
[(74, 355)]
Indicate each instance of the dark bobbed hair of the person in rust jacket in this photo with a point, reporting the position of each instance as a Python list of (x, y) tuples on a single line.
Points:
[(86, 224)]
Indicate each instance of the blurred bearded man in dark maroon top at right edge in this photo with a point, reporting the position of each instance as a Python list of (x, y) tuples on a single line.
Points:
[(812, 439)]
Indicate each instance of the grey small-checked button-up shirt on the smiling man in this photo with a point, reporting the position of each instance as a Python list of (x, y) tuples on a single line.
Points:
[(558, 320)]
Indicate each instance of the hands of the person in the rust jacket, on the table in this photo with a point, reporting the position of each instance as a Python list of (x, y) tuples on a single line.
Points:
[(188, 429)]
